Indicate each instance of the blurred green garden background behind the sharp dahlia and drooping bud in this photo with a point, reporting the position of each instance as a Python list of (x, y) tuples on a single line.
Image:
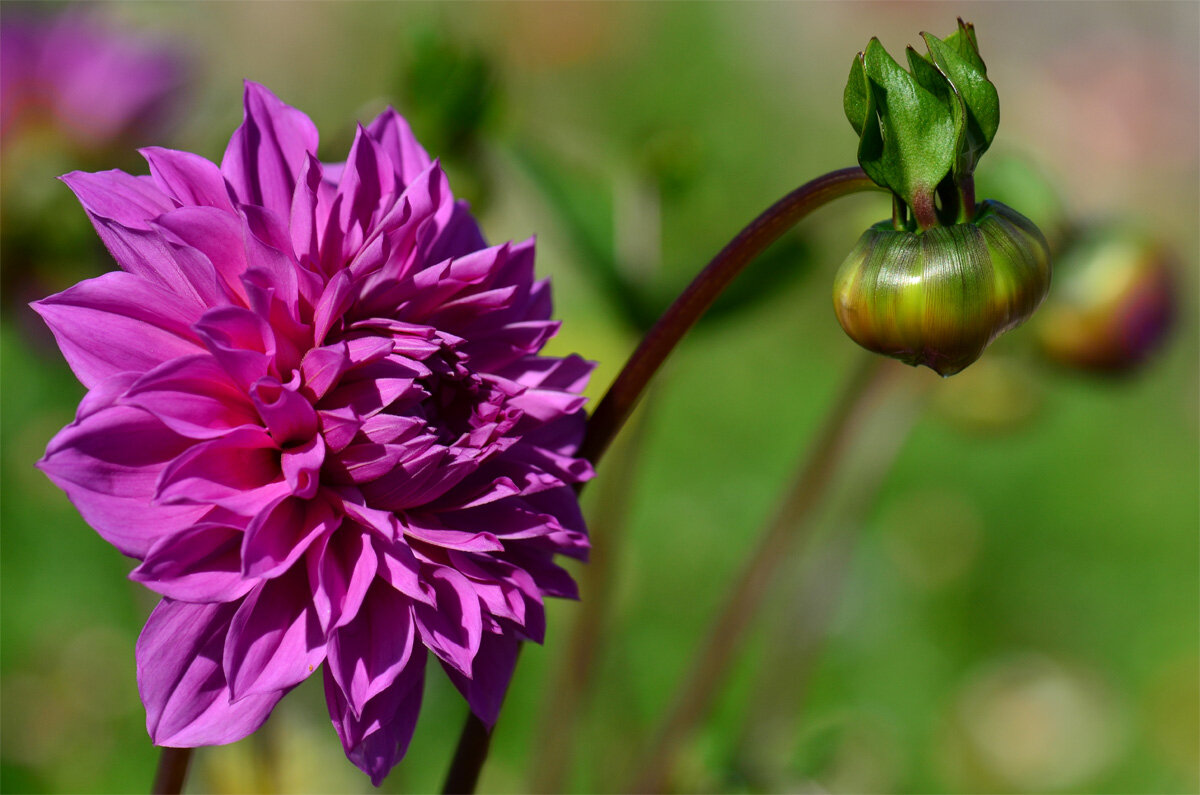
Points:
[(1000, 591)]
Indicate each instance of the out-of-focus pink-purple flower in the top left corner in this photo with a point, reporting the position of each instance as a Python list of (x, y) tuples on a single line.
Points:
[(94, 85)]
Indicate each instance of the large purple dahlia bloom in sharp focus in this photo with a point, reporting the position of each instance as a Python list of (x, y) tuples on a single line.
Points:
[(317, 417)]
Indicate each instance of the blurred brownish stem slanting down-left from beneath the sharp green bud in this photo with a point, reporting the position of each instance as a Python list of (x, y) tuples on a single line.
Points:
[(712, 661)]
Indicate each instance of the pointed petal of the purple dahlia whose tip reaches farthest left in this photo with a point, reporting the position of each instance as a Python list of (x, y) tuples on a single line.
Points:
[(119, 324)]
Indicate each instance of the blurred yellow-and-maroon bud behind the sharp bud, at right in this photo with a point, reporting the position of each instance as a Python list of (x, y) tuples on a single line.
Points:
[(1115, 304)]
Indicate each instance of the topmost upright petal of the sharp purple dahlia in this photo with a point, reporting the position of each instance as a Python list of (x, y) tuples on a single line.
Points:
[(268, 152)]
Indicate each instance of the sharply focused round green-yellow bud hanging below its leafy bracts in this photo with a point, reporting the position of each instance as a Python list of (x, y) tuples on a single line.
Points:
[(940, 297)]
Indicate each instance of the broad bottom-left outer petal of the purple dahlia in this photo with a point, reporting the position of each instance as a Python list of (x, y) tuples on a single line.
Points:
[(182, 682)]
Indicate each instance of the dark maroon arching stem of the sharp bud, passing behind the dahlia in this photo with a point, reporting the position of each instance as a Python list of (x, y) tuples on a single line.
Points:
[(625, 393)]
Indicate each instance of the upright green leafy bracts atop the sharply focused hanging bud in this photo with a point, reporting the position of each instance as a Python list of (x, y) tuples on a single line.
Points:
[(922, 131)]
